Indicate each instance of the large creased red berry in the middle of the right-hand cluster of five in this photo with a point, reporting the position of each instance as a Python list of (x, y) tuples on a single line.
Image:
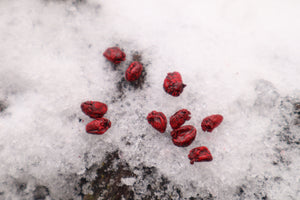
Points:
[(184, 135)]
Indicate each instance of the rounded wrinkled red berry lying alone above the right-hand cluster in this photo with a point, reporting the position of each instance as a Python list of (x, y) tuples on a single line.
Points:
[(173, 84)]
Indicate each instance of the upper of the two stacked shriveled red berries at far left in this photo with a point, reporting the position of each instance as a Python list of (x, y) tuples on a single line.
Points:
[(94, 109)]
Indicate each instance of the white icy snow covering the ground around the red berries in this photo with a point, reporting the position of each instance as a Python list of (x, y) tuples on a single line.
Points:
[(237, 58)]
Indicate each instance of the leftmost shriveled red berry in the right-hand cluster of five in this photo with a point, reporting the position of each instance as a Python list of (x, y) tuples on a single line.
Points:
[(158, 121)]
